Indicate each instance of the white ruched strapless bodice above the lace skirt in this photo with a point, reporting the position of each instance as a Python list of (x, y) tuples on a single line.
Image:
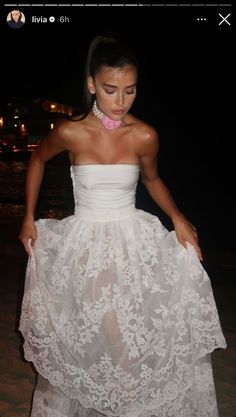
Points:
[(104, 191)]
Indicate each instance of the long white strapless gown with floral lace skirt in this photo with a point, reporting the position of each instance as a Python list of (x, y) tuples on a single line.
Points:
[(117, 316)]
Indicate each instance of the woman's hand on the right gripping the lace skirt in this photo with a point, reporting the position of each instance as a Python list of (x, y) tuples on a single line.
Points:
[(186, 232)]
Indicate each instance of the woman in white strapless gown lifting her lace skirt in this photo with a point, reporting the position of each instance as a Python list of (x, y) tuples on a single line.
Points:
[(118, 314)]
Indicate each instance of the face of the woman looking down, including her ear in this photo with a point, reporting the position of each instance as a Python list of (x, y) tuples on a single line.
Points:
[(115, 90)]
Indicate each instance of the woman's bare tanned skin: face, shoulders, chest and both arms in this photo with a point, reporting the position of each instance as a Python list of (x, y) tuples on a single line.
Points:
[(88, 142)]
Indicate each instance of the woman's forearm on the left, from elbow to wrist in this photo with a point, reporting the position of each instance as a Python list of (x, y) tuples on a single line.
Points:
[(33, 182)]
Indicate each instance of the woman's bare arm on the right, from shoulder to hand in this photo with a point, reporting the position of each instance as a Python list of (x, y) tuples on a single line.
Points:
[(185, 231)]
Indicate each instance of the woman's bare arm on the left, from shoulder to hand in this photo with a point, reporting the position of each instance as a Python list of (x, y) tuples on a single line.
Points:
[(51, 146)]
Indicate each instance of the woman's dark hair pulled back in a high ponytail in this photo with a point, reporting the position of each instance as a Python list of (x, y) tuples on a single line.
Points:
[(104, 51)]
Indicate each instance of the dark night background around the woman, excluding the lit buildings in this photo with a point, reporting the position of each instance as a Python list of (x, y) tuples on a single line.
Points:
[(185, 90)]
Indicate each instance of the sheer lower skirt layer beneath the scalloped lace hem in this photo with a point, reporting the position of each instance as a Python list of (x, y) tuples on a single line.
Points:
[(198, 400)]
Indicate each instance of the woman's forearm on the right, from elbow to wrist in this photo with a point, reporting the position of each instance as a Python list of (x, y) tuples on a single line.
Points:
[(162, 196)]
